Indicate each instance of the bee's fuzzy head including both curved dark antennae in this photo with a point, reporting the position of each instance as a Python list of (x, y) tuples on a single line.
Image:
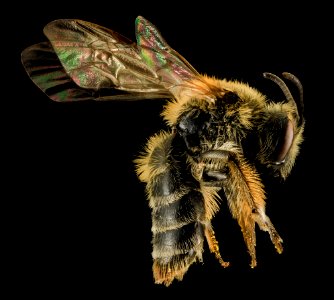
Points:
[(280, 131)]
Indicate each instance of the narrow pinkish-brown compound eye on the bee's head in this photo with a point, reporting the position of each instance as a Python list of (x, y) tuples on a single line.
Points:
[(284, 144)]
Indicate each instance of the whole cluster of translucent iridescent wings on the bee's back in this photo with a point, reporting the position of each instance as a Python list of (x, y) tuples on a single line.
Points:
[(86, 61)]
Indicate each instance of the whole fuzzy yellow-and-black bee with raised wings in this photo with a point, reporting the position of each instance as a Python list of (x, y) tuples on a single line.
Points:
[(220, 133)]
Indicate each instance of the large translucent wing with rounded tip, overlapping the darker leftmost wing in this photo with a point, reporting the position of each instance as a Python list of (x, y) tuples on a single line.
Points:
[(96, 57)]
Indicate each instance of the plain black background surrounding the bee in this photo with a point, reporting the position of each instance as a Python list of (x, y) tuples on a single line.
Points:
[(80, 219)]
